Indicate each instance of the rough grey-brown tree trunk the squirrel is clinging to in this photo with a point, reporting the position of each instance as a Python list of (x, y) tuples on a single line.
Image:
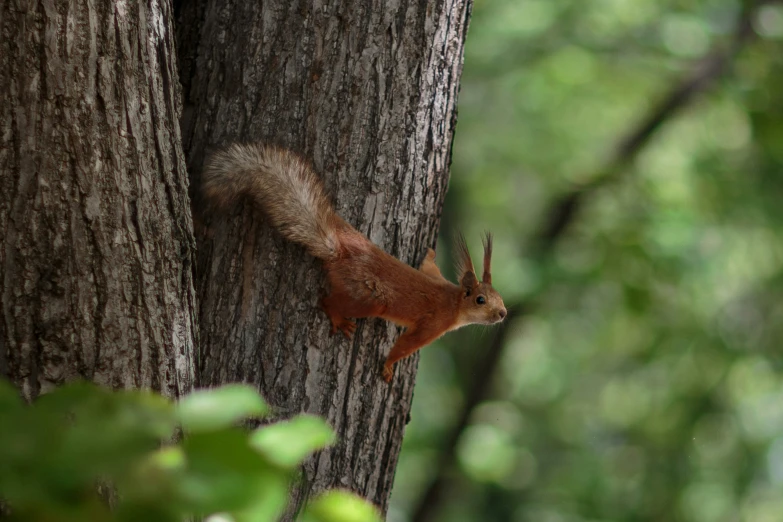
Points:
[(366, 91)]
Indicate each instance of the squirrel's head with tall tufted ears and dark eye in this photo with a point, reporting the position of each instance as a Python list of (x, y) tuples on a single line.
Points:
[(480, 302)]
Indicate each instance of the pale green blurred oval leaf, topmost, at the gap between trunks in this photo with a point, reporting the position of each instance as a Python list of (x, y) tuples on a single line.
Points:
[(207, 410)]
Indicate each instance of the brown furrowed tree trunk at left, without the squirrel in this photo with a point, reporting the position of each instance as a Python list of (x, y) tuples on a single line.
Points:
[(96, 235)]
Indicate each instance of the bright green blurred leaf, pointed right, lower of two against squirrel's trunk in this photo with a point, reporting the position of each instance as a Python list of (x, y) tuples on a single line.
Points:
[(287, 443)]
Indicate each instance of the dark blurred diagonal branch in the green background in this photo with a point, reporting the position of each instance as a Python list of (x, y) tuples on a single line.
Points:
[(561, 215)]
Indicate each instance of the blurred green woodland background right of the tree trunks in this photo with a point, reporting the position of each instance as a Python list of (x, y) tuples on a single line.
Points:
[(628, 156)]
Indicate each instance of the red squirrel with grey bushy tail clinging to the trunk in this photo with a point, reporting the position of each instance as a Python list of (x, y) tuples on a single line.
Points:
[(364, 280)]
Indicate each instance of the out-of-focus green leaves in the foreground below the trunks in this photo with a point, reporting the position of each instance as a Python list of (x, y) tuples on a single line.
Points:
[(80, 449)]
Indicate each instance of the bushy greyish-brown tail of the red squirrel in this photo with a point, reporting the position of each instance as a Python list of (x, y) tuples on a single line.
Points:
[(283, 185)]
